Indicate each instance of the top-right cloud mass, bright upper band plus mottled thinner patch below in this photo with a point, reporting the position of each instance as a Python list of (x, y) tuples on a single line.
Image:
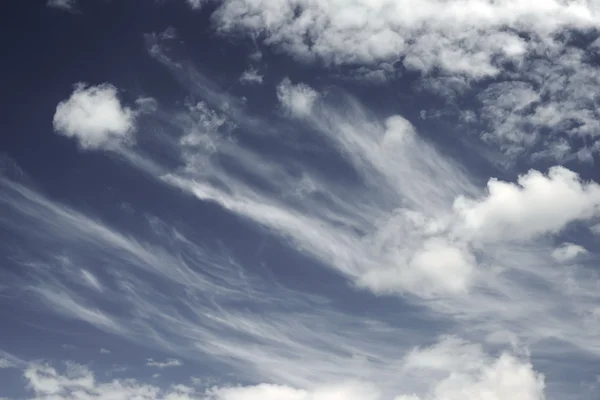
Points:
[(540, 56)]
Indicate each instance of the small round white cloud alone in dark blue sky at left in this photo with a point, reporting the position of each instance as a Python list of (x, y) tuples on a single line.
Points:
[(95, 117)]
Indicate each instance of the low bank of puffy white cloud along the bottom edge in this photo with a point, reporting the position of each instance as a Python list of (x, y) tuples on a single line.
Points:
[(477, 377)]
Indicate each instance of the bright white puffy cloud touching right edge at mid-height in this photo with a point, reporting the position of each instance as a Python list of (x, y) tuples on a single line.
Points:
[(536, 205)]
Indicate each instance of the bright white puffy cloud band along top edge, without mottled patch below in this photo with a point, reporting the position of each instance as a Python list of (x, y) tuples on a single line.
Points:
[(470, 38)]
